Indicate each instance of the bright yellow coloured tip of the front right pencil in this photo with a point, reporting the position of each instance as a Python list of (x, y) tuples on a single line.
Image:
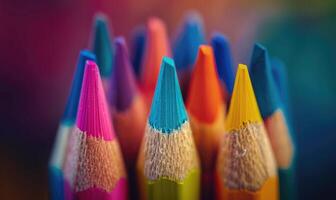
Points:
[(243, 108)]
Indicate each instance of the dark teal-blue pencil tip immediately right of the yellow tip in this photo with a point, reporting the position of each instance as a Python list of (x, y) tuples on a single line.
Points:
[(263, 81)]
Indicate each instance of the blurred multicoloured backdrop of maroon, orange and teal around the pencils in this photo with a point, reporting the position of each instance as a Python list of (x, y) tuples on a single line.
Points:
[(39, 45)]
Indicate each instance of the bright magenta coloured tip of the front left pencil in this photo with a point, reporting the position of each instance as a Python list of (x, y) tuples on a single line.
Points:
[(93, 116)]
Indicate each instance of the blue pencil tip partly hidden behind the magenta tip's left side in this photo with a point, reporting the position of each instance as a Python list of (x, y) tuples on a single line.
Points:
[(70, 113)]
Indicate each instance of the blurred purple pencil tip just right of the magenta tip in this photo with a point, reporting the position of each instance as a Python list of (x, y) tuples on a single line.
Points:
[(123, 87)]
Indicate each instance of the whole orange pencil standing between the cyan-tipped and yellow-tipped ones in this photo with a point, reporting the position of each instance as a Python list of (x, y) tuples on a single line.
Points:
[(206, 108)]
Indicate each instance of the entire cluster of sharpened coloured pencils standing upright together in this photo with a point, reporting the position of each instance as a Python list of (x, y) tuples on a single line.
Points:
[(137, 127)]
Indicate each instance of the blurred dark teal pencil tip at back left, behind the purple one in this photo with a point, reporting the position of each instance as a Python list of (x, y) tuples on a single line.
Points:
[(102, 47)]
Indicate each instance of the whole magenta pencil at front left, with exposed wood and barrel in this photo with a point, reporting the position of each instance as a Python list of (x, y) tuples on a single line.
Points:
[(97, 169)]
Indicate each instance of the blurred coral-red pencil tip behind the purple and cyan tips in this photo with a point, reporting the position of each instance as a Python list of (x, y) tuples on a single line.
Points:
[(156, 47)]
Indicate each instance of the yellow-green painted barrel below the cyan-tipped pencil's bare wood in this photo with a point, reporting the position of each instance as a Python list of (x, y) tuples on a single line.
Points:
[(165, 189)]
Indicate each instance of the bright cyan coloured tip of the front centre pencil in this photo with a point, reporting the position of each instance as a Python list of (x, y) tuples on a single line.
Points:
[(167, 112)]
